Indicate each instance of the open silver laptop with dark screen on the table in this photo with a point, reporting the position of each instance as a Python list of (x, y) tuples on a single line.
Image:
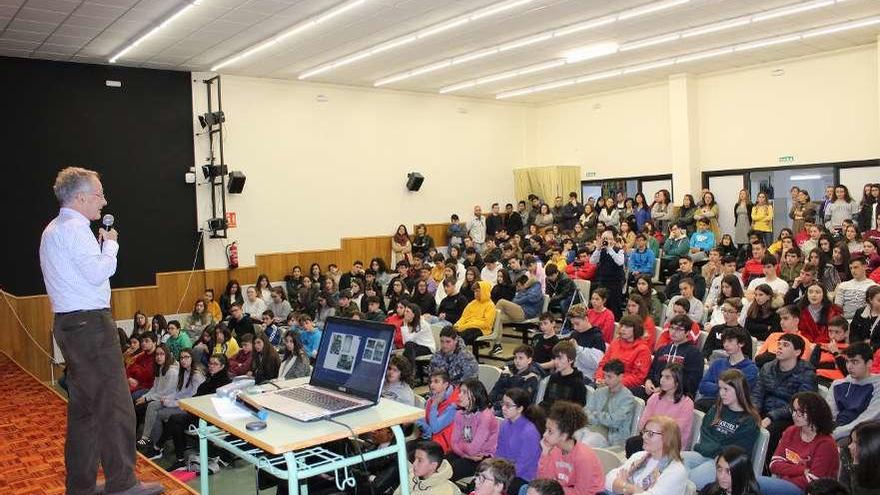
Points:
[(348, 374)]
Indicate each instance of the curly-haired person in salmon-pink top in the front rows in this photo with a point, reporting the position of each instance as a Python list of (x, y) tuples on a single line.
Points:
[(574, 465)]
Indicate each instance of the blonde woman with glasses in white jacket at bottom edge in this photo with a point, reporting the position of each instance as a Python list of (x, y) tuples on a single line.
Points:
[(656, 470)]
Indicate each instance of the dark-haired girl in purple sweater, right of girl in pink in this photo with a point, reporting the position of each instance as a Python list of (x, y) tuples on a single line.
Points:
[(519, 440)]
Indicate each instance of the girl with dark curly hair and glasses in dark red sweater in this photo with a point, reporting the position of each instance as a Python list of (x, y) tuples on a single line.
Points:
[(806, 450)]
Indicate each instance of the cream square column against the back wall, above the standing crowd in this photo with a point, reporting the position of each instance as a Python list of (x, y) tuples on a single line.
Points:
[(684, 135)]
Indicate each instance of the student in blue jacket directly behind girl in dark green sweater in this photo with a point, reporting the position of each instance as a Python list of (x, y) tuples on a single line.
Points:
[(733, 342)]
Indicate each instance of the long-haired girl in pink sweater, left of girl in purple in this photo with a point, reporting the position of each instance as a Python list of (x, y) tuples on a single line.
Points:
[(474, 430)]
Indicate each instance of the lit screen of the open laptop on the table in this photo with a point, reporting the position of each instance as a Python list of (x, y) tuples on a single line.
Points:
[(353, 357)]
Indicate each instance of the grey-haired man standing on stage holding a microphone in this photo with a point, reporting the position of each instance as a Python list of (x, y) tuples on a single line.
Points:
[(76, 270)]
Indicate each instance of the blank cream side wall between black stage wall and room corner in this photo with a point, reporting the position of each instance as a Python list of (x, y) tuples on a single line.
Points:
[(320, 171)]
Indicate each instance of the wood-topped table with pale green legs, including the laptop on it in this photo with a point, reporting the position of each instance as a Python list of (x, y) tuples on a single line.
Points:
[(341, 399)]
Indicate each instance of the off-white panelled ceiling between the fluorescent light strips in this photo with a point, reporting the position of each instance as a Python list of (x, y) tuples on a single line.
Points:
[(91, 31)]
